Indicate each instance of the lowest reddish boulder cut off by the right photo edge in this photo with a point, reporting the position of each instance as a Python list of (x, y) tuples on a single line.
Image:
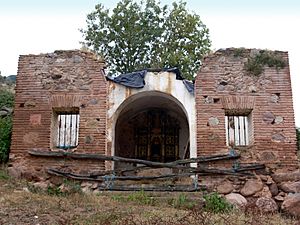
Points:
[(291, 205)]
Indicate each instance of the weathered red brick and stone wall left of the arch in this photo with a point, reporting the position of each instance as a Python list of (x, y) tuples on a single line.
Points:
[(61, 80)]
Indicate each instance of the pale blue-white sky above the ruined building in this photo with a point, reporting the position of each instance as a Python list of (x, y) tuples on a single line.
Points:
[(37, 26)]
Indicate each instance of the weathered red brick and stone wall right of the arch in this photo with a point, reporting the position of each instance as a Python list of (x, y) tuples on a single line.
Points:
[(223, 84)]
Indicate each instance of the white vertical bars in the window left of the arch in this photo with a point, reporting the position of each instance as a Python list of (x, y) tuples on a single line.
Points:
[(68, 129)]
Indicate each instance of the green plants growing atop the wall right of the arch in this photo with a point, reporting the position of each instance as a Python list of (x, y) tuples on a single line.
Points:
[(255, 65)]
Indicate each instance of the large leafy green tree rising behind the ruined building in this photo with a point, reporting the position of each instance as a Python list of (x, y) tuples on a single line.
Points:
[(142, 35)]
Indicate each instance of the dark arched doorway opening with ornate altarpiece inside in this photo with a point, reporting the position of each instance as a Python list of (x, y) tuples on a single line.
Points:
[(152, 126)]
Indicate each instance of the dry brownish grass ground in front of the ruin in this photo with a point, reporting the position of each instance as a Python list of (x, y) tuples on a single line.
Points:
[(20, 206)]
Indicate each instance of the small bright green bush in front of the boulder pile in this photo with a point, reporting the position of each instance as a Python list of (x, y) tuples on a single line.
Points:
[(216, 203)]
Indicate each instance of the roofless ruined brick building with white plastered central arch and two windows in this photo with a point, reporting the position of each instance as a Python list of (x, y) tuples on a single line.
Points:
[(65, 103)]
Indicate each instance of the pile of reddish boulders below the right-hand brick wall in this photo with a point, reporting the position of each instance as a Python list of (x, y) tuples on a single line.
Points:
[(278, 192)]
